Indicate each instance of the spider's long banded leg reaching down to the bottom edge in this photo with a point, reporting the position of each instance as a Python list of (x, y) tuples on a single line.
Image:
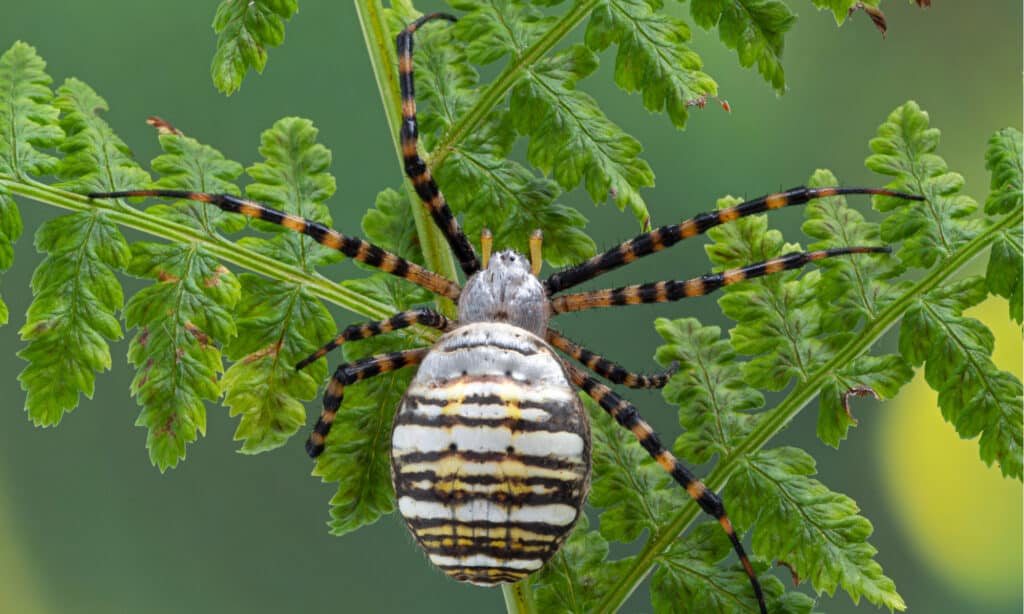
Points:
[(627, 416)]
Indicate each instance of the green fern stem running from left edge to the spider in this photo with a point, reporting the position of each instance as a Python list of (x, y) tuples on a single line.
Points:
[(220, 247)]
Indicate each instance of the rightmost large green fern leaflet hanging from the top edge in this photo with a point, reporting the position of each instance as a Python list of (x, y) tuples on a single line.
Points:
[(755, 29)]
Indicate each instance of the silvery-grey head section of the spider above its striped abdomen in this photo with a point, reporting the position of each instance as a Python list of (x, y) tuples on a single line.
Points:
[(506, 292)]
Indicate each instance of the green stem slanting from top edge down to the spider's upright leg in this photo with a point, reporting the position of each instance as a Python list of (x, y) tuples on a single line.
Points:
[(472, 120)]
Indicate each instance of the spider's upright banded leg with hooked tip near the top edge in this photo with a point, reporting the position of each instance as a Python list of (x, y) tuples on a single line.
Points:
[(416, 168)]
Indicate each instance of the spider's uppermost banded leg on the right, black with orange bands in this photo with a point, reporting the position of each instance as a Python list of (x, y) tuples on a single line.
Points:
[(666, 237)]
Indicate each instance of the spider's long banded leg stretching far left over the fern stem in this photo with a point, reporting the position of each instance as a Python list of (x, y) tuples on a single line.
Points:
[(355, 248)]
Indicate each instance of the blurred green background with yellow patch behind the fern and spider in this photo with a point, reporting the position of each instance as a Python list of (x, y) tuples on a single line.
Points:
[(88, 525)]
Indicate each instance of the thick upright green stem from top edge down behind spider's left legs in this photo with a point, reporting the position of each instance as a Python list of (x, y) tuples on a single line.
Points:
[(380, 47)]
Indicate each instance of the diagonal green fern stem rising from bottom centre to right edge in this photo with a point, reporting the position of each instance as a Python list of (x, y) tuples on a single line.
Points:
[(802, 394)]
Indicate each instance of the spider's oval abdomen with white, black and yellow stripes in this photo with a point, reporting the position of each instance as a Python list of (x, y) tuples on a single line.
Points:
[(491, 454)]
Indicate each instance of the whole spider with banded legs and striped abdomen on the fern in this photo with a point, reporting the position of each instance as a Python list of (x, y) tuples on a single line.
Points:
[(491, 452)]
